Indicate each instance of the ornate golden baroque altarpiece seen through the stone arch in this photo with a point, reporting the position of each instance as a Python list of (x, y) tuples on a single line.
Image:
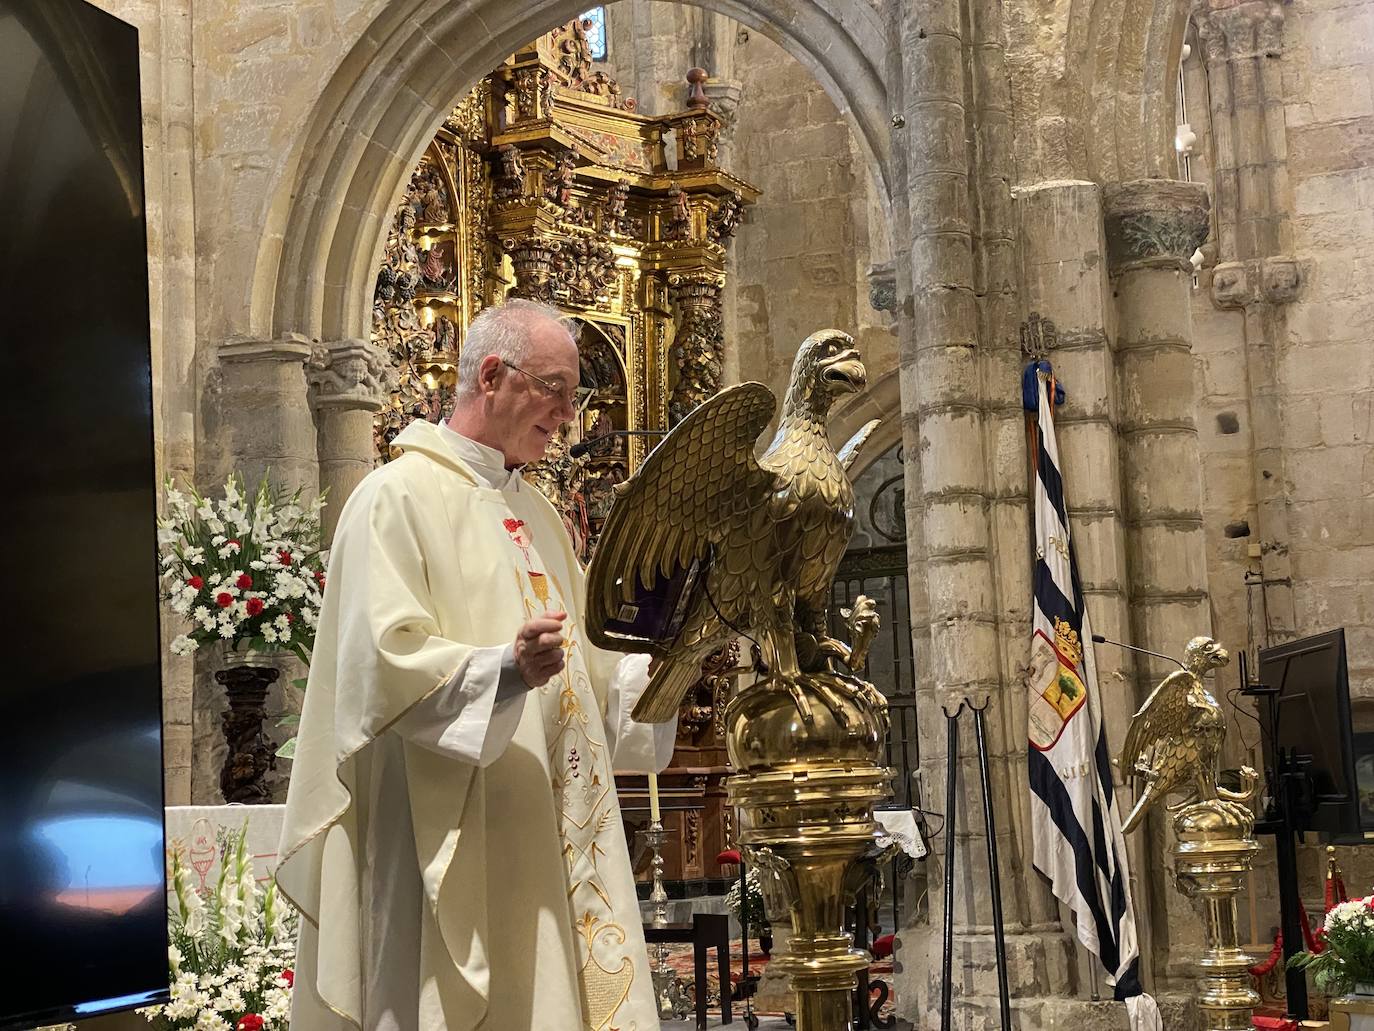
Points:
[(546, 184)]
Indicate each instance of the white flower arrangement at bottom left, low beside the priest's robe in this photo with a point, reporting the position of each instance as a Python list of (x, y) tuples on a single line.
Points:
[(232, 951)]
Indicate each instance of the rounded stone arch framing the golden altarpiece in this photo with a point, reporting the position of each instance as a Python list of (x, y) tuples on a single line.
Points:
[(384, 102)]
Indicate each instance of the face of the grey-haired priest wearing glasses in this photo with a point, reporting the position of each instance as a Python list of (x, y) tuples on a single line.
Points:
[(526, 413)]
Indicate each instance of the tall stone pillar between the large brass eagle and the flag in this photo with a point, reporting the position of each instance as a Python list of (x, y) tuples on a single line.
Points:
[(964, 325)]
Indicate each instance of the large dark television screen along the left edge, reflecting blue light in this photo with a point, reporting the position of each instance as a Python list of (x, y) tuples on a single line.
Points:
[(82, 863)]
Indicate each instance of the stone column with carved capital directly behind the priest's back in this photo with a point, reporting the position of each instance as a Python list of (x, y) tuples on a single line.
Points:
[(350, 380)]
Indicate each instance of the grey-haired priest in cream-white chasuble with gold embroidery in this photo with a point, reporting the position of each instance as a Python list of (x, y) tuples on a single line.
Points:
[(453, 834)]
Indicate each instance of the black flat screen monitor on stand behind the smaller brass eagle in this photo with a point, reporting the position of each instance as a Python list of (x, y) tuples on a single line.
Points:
[(1314, 720)]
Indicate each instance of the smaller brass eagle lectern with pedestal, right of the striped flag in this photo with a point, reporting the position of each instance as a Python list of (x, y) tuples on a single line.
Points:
[(1174, 747)]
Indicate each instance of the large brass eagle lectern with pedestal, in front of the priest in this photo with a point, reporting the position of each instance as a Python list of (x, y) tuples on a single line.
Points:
[(708, 544)]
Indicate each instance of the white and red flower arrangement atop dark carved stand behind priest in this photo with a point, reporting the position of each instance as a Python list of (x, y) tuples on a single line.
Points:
[(244, 571)]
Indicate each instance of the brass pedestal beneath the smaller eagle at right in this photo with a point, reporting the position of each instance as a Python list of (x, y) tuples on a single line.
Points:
[(1214, 854)]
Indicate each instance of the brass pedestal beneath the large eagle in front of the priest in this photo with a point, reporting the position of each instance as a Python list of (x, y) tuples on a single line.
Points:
[(806, 792)]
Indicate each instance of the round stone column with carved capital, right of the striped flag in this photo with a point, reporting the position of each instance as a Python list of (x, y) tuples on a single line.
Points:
[(1152, 230)]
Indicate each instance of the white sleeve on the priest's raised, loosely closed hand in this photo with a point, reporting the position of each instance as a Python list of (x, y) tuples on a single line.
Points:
[(465, 720)]
